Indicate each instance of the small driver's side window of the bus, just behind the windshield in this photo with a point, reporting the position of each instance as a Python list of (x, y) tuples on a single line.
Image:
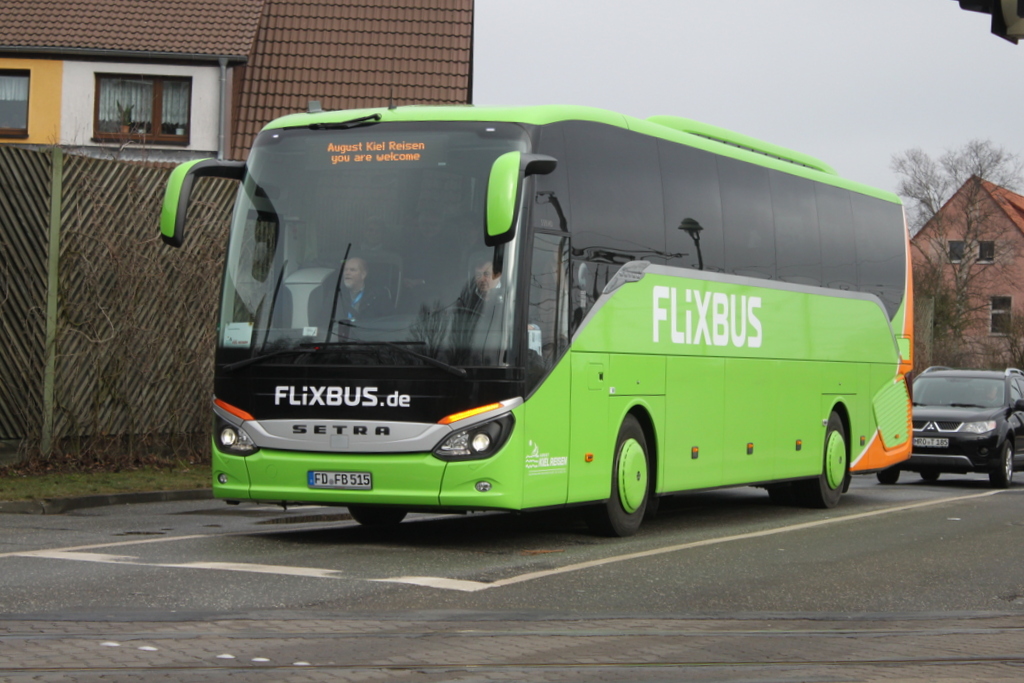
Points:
[(547, 330)]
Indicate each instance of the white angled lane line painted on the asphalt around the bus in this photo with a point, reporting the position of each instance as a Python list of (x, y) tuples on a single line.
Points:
[(443, 583)]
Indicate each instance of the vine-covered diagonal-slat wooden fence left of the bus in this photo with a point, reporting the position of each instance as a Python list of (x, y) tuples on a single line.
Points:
[(106, 334)]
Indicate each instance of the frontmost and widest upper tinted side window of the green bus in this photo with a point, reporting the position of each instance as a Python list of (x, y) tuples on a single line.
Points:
[(616, 185)]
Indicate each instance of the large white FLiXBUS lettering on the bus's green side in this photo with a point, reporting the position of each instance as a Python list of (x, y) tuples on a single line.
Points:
[(714, 319)]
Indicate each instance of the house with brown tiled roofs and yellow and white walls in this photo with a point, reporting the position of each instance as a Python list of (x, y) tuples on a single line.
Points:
[(169, 80)]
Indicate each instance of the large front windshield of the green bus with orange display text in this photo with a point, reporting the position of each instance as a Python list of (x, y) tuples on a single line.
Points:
[(357, 242)]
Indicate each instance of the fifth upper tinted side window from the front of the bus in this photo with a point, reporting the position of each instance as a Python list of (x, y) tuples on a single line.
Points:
[(839, 255)]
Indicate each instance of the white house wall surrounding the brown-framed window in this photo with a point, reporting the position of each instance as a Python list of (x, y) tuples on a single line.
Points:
[(80, 97)]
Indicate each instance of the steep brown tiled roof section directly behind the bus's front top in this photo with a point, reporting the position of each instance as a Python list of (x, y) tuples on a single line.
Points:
[(353, 54)]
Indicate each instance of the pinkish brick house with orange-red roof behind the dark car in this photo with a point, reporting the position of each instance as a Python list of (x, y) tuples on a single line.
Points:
[(969, 277)]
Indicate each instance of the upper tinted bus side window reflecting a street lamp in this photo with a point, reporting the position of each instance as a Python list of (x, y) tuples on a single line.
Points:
[(691, 186)]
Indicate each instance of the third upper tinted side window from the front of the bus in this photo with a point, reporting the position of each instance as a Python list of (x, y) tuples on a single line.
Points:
[(750, 232)]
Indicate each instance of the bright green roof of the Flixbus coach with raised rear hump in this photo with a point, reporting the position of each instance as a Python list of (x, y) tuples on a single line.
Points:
[(676, 130)]
